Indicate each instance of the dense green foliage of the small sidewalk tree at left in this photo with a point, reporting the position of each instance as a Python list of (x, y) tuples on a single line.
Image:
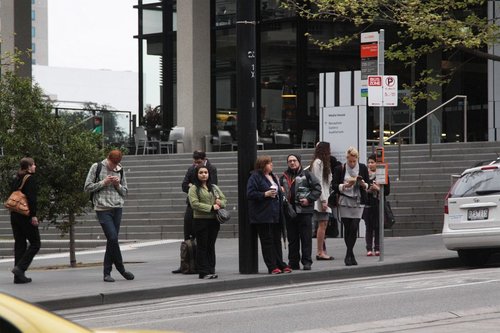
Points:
[(63, 151)]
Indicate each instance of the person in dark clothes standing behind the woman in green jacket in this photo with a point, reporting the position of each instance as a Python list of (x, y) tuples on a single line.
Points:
[(199, 158)]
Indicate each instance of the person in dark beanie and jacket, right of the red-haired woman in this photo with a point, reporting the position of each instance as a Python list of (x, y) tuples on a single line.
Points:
[(302, 189)]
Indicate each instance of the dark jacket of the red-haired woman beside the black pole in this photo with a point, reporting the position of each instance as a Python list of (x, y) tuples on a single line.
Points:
[(260, 208)]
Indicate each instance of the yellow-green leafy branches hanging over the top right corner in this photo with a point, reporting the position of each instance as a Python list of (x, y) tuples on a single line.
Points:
[(422, 27)]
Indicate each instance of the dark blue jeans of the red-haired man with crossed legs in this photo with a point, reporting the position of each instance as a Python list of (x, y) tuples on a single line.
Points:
[(110, 221)]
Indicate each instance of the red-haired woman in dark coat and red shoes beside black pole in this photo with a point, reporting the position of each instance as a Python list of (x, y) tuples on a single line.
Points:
[(264, 209)]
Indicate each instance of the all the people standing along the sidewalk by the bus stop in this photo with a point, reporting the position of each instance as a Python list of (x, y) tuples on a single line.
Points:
[(307, 191)]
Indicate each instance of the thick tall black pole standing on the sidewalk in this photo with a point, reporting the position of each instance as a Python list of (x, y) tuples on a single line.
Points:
[(246, 71)]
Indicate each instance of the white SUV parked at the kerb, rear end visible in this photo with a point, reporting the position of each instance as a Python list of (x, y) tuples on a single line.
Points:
[(472, 214)]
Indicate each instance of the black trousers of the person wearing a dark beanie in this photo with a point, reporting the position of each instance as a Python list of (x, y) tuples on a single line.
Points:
[(299, 232)]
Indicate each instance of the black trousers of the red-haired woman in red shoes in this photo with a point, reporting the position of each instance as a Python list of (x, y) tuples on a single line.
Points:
[(270, 243)]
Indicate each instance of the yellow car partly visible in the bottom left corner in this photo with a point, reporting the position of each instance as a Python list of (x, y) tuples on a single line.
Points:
[(17, 316)]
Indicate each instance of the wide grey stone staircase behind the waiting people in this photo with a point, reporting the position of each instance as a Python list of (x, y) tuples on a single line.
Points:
[(155, 205)]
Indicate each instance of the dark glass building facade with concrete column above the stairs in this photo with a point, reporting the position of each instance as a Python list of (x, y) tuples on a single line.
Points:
[(188, 66)]
